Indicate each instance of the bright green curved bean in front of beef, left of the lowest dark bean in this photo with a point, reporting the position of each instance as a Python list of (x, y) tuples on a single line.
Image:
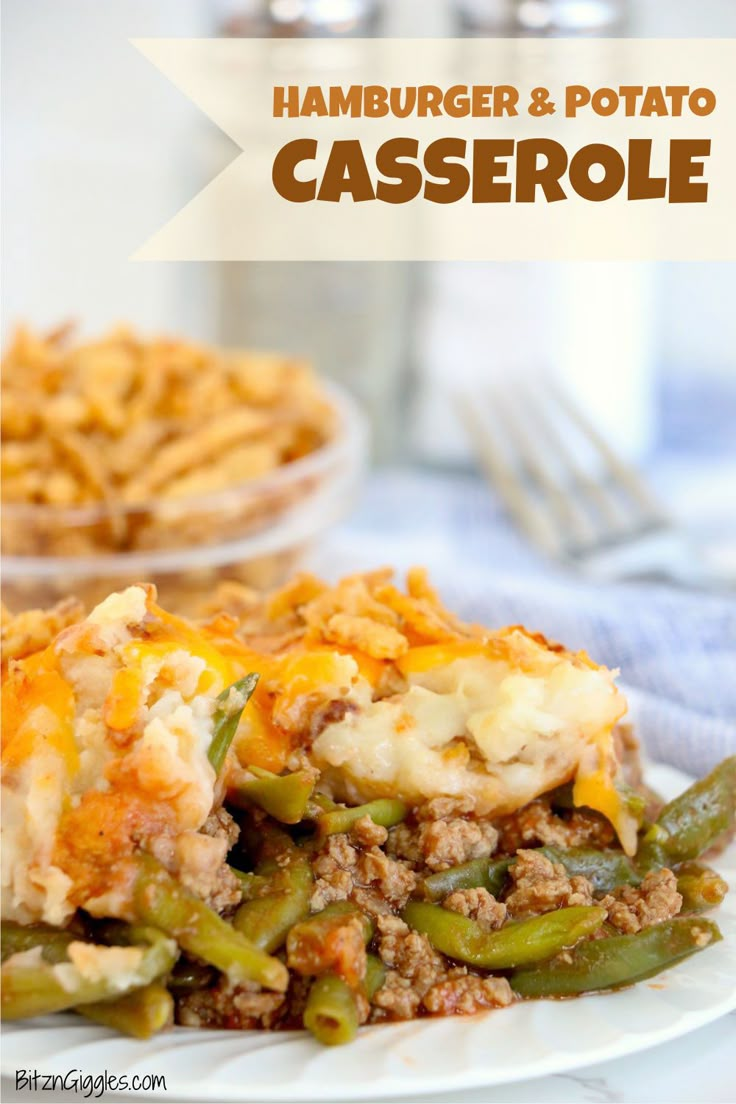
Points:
[(528, 941)]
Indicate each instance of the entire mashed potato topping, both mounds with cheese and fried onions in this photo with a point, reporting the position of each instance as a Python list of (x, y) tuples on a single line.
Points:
[(381, 694)]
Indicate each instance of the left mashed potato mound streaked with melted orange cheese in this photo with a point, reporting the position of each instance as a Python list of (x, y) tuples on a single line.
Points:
[(105, 749)]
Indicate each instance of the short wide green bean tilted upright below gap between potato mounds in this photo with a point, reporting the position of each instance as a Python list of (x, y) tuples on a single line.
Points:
[(268, 920)]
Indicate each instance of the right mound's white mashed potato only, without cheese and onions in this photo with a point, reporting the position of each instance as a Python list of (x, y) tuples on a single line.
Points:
[(483, 726)]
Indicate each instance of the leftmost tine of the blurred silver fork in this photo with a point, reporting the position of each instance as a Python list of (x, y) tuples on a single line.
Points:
[(483, 429)]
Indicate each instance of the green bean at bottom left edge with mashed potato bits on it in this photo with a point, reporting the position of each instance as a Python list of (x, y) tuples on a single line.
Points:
[(35, 989)]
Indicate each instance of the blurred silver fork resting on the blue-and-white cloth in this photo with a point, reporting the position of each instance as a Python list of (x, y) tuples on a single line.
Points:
[(570, 492)]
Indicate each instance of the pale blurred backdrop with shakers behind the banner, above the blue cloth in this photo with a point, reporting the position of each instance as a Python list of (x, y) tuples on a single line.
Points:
[(100, 150)]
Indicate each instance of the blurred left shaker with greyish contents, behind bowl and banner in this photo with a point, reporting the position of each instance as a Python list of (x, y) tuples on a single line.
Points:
[(349, 319)]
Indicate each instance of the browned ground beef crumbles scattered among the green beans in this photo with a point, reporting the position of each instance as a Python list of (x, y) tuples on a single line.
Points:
[(379, 871)]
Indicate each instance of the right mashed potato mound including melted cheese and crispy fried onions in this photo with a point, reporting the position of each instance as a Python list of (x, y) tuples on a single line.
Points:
[(390, 695)]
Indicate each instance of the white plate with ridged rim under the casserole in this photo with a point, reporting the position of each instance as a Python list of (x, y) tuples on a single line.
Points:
[(527, 1041)]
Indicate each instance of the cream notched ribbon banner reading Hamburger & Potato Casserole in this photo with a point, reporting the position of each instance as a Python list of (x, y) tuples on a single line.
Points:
[(612, 196)]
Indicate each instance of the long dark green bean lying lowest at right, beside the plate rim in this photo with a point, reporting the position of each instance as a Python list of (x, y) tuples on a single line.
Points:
[(623, 960)]
